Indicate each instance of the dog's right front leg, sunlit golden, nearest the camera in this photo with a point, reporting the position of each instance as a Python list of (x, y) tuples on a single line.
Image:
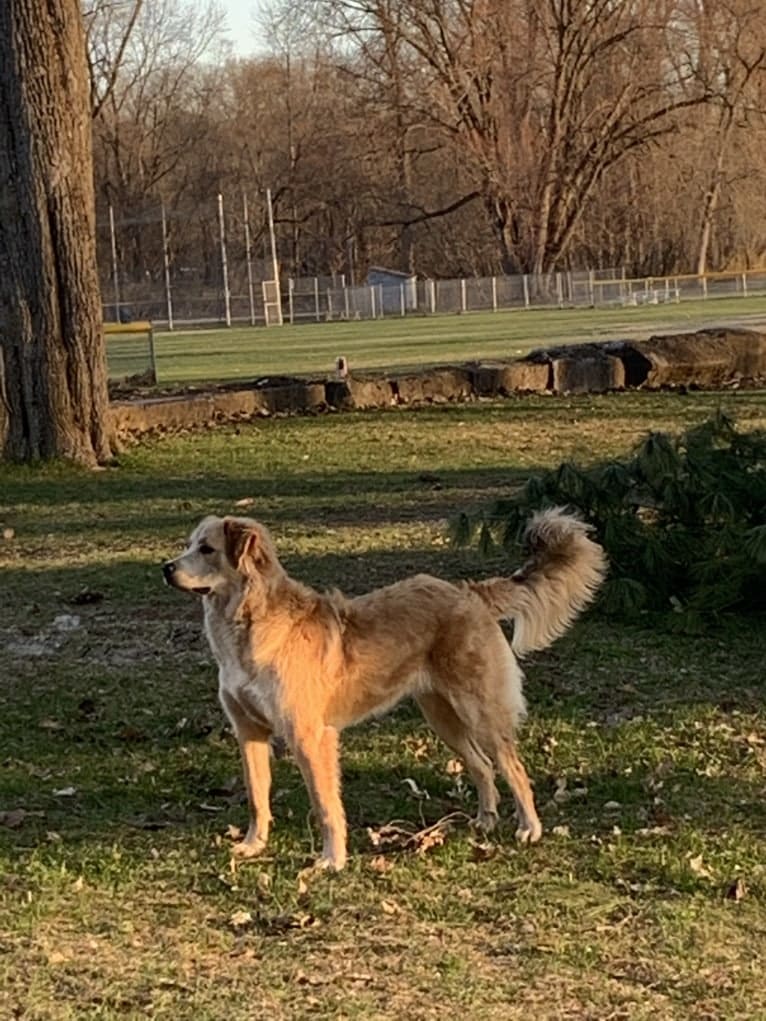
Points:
[(317, 755)]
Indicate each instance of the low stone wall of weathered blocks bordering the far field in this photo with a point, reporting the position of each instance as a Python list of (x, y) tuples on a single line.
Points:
[(706, 360)]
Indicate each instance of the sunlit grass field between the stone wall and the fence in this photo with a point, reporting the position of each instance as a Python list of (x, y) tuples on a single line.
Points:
[(251, 353)]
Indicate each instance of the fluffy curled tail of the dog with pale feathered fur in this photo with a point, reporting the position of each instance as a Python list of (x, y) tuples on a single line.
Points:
[(560, 578)]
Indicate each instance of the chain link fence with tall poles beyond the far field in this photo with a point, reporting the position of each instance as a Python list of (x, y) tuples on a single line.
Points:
[(214, 266)]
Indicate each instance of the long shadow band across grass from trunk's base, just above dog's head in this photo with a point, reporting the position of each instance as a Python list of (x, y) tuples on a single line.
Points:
[(173, 505)]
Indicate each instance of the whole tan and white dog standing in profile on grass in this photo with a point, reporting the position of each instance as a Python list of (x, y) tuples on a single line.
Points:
[(304, 665)]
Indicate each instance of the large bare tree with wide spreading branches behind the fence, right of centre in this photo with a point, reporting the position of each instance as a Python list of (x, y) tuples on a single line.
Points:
[(544, 98)]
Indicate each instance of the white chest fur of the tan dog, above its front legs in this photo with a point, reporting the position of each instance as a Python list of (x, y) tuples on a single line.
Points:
[(255, 690)]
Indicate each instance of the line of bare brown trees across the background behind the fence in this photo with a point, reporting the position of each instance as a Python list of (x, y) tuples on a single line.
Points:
[(441, 137)]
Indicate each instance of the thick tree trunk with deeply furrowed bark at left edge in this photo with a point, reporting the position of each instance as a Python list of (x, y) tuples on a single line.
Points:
[(54, 372)]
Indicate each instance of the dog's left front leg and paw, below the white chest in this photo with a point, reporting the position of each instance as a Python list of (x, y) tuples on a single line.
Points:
[(254, 746)]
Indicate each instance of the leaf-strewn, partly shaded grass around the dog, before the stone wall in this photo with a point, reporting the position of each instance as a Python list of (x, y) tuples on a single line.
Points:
[(647, 897)]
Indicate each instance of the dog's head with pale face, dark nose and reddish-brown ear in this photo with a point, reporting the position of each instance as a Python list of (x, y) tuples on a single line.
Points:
[(223, 556)]
